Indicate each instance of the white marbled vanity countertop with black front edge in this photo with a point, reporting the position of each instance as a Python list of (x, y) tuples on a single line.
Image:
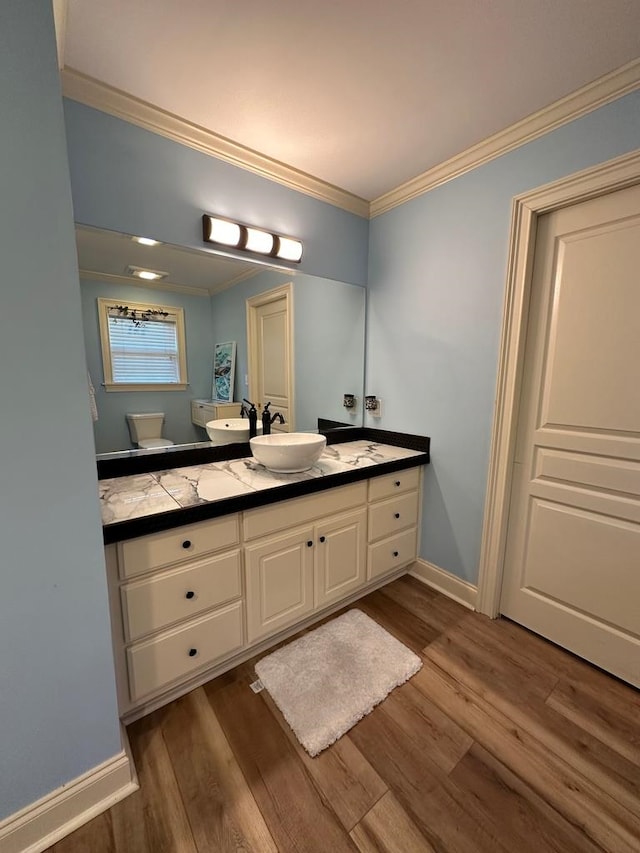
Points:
[(148, 502)]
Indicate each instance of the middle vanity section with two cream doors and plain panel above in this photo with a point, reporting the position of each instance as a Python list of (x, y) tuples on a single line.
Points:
[(293, 571)]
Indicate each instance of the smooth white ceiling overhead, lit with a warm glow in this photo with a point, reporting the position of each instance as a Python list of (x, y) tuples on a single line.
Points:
[(362, 94)]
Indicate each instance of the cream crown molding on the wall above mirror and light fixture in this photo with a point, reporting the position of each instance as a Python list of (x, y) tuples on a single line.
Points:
[(91, 92)]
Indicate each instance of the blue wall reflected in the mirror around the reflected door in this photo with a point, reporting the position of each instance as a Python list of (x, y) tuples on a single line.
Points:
[(329, 328)]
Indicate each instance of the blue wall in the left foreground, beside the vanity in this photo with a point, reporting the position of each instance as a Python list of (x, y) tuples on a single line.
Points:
[(58, 715)]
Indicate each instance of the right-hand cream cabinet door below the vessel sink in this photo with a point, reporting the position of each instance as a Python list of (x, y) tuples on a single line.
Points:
[(341, 545)]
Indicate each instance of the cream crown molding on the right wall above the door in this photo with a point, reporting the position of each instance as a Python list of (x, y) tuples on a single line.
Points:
[(608, 88)]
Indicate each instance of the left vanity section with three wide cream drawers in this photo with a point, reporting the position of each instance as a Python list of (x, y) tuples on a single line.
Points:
[(177, 605)]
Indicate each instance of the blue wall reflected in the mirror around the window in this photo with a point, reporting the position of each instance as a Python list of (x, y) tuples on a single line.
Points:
[(110, 429)]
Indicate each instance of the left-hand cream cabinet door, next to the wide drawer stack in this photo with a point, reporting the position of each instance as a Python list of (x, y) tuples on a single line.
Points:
[(279, 582)]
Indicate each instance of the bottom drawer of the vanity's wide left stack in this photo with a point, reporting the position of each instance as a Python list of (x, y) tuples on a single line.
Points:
[(175, 654)]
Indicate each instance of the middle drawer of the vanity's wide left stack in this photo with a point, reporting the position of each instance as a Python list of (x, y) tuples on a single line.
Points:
[(151, 604)]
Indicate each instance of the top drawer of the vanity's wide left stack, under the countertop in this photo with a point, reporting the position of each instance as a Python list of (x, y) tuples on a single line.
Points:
[(138, 556)]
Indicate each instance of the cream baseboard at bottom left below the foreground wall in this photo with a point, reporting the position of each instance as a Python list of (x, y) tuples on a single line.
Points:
[(43, 823)]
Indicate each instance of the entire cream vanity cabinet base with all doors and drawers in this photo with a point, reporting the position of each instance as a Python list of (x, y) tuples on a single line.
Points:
[(190, 602)]
